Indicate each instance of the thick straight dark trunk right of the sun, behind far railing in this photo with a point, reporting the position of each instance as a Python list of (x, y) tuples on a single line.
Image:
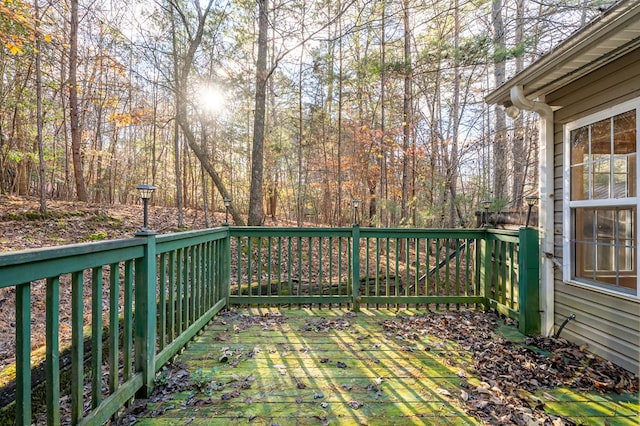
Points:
[(256, 213)]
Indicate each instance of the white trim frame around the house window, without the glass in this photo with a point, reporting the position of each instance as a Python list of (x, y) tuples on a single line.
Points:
[(566, 194)]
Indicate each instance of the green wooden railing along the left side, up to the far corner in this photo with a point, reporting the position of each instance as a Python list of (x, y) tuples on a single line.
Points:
[(159, 290)]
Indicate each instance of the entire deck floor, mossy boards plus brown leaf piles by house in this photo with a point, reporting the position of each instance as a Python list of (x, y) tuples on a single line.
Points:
[(383, 367)]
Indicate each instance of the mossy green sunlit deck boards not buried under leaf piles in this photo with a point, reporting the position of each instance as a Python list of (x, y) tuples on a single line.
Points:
[(315, 367)]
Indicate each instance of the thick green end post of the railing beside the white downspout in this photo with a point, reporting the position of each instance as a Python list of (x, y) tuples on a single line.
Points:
[(529, 280)]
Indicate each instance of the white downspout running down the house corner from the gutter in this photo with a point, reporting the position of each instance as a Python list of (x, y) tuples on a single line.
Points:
[(545, 212)]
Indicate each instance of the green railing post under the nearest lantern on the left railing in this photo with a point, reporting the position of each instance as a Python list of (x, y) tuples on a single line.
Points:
[(145, 313)]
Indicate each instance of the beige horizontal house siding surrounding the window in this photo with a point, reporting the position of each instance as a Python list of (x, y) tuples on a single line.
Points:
[(608, 324)]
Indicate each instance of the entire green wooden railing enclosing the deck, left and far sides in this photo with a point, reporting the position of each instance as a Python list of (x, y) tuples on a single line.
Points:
[(162, 290)]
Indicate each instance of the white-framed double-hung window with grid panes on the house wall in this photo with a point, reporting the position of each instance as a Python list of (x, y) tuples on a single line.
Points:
[(600, 199)]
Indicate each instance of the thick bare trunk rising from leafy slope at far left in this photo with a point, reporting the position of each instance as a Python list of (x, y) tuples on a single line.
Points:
[(74, 116)]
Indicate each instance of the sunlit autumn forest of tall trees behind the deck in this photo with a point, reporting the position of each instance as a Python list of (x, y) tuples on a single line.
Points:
[(291, 108)]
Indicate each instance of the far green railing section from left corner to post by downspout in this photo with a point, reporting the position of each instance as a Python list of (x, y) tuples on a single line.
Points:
[(422, 268)]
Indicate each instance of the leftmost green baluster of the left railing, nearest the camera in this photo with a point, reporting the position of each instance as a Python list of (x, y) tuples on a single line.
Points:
[(23, 354)]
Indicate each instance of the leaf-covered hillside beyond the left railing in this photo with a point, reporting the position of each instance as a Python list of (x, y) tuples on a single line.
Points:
[(23, 227)]
